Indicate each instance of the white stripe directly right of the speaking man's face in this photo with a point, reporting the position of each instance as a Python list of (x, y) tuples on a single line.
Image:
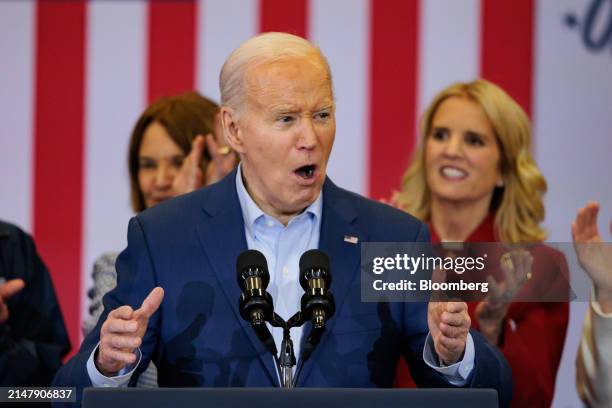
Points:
[(344, 38)]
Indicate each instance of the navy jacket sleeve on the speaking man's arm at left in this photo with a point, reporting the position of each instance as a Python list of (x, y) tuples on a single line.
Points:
[(135, 280)]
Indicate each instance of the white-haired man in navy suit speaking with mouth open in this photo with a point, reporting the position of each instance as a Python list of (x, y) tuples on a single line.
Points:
[(278, 114)]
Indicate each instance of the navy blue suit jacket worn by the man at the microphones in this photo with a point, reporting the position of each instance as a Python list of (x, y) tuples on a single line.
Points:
[(189, 246)]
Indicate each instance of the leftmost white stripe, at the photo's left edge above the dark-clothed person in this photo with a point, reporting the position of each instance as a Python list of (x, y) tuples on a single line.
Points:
[(17, 39)]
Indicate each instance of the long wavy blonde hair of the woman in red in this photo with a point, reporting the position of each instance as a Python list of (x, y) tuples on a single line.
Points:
[(518, 205)]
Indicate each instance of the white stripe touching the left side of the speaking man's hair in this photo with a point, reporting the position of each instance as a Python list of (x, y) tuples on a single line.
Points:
[(222, 27)]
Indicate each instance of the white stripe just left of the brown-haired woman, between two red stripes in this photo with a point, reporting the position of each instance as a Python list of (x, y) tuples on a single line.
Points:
[(116, 77)]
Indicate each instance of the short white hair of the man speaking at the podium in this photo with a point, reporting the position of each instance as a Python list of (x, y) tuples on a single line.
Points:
[(260, 49)]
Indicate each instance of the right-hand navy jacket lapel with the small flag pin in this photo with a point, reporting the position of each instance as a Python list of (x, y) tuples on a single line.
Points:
[(337, 239)]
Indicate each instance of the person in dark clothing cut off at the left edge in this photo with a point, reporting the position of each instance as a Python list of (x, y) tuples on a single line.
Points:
[(33, 337)]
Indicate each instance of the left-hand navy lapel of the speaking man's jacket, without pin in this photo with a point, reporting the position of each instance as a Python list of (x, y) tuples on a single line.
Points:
[(221, 232)]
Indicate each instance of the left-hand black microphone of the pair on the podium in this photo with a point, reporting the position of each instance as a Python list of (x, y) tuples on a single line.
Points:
[(256, 304)]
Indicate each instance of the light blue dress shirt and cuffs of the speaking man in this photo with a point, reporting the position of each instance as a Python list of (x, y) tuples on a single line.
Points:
[(283, 246)]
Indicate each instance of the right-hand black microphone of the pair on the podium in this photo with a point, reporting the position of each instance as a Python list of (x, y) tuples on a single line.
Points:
[(317, 302)]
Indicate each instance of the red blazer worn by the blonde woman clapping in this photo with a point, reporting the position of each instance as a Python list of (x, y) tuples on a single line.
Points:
[(533, 333)]
